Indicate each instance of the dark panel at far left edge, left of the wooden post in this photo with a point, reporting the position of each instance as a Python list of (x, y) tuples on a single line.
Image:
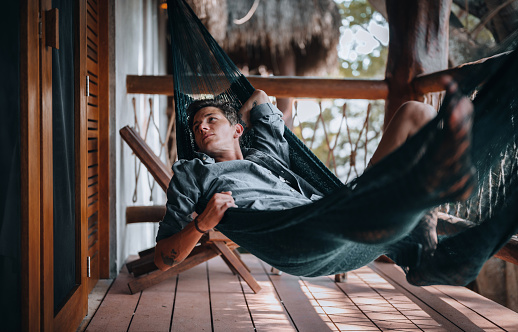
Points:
[(10, 186)]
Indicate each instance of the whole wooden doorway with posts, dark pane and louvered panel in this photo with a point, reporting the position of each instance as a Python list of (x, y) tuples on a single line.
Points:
[(42, 307)]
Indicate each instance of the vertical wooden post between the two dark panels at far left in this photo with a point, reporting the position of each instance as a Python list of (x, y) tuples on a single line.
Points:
[(30, 176)]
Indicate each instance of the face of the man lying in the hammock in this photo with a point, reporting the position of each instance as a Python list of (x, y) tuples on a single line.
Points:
[(213, 133)]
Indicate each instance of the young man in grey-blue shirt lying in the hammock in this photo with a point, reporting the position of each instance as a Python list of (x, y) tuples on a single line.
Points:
[(259, 178)]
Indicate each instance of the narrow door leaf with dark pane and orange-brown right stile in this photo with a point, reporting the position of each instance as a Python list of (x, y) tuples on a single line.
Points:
[(69, 228)]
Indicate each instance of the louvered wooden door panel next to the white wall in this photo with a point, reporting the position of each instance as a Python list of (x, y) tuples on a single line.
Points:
[(91, 155)]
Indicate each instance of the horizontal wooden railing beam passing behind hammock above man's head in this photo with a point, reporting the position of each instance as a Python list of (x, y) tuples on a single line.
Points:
[(278, 86)]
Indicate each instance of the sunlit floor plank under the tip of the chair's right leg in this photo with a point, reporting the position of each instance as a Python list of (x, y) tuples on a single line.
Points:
[(267, 311)]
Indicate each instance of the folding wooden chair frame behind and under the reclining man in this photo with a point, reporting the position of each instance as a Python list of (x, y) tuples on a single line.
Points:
[(211, 245)]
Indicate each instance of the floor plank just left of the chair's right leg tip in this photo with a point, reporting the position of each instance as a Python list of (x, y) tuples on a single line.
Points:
[(229, 309)]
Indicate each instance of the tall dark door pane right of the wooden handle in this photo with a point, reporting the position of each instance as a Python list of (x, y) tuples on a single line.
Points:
[(63, 158)]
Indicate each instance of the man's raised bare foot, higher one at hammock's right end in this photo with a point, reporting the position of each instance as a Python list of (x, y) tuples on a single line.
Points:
[(452, 176)]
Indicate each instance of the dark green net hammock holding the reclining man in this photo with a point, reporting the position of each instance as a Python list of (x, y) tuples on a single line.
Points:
[(372, 215)]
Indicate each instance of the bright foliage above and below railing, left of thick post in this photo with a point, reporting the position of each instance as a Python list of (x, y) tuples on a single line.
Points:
[(361, 26)]
